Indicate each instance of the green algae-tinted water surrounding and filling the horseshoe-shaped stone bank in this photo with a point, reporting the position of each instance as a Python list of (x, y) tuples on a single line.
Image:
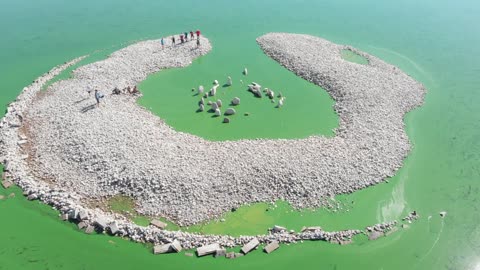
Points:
[(437, 42)]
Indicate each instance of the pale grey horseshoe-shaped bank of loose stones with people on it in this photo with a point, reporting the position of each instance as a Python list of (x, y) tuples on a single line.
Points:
[(120, 148)]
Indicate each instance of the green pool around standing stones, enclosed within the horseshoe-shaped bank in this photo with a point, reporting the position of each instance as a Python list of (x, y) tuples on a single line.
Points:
[(307, 110)]
